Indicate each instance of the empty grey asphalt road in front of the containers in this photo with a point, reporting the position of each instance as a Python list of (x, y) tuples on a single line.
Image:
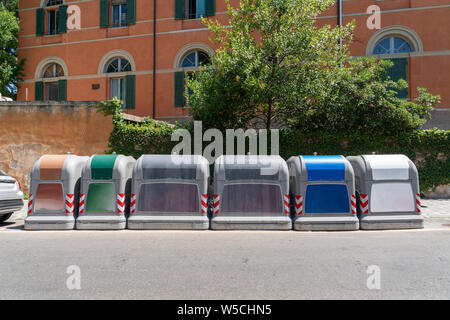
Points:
[(225, 265)]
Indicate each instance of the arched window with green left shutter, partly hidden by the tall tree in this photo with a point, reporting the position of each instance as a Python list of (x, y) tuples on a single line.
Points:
[(190, 62)]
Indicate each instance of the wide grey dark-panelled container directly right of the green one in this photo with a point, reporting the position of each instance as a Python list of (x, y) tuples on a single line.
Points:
[(170, 192)]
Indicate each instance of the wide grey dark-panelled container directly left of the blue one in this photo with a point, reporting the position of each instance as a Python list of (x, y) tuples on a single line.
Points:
[(251, 192)]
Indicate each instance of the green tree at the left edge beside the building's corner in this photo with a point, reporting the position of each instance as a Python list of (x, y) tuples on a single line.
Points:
[(10, 68)]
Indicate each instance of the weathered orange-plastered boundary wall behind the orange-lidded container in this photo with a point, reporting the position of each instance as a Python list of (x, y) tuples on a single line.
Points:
[(30, 129)]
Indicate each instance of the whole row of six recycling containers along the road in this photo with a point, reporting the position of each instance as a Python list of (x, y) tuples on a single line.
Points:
[(111, 192)]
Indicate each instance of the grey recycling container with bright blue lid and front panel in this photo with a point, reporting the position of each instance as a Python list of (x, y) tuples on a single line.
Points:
[(323, 193)]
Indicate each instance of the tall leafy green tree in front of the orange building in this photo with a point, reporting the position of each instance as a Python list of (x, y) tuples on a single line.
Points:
[(271, 53)]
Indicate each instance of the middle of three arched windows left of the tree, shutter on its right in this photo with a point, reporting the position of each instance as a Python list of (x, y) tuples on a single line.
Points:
[(121, 86)]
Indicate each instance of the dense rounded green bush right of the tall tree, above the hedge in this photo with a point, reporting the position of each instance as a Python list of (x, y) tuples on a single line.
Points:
[(359, 97)]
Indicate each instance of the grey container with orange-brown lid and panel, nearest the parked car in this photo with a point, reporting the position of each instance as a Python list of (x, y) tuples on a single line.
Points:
[(54, 192)]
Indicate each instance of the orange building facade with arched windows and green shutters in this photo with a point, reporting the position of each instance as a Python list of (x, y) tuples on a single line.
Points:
[(139, 50)]
